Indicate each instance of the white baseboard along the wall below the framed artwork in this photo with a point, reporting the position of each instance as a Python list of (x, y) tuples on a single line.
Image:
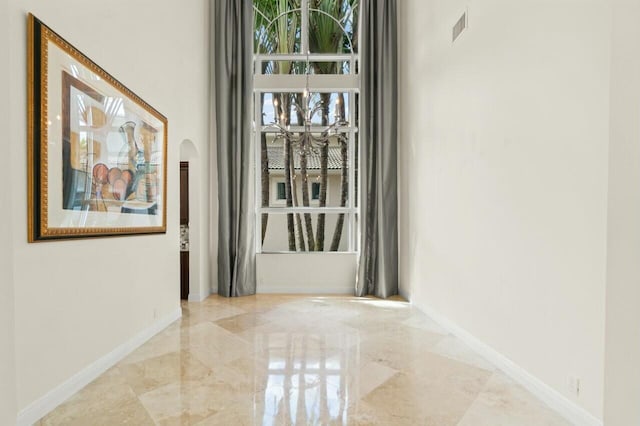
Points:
[(42, 406)]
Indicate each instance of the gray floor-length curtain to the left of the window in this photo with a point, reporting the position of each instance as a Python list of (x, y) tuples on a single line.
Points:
[(232, 67)]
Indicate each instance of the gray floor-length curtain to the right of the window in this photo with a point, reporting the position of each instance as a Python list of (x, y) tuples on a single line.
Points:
[(378, 264)]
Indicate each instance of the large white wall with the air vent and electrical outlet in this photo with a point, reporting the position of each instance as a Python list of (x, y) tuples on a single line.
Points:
[(504, 153)]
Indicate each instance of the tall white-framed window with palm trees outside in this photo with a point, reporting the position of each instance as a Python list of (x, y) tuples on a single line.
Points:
[(306, 114)]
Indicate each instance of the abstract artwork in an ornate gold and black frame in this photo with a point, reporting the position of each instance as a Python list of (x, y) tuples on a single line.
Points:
[(97, 153)]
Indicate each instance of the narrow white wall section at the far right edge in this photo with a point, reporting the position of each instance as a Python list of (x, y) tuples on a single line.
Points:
[(622, 375)]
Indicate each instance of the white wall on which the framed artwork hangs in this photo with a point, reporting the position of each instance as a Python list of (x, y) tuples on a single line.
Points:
[(76, 301)]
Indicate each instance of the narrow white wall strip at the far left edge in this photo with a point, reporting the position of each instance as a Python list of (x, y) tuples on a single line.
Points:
[(8, 407)]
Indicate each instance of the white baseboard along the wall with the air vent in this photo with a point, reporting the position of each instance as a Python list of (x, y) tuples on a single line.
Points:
[(554, 399)]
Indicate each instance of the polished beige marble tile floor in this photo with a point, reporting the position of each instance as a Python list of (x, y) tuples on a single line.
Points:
[(303, 360)]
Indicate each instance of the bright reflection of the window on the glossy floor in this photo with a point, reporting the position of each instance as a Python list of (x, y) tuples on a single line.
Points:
[(308, 382)]
